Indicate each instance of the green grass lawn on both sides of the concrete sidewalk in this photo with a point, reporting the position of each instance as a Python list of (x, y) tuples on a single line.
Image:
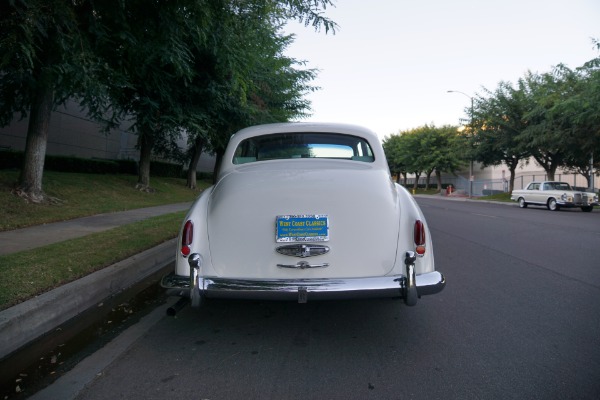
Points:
[(29, 273)]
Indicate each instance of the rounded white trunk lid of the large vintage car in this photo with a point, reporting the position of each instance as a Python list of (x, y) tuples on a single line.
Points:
[(358, 202)]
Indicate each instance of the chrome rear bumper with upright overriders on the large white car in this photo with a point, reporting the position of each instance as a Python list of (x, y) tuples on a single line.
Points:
[(409, 286)]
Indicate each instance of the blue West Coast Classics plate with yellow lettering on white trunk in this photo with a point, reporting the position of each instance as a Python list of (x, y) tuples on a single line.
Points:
[(302, 228)]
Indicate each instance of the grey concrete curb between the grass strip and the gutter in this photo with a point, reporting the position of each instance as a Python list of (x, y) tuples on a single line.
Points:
[(27, 321)]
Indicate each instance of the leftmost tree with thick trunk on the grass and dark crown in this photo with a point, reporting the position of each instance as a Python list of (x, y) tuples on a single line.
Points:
[(46, 57)]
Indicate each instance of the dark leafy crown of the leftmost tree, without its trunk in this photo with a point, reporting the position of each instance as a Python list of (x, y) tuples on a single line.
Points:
[(44, 43)]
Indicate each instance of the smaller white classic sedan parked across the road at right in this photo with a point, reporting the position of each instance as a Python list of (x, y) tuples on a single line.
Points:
[(554, 195)]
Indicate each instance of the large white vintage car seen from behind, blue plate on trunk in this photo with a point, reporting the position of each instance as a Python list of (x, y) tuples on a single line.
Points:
[(304, 211)]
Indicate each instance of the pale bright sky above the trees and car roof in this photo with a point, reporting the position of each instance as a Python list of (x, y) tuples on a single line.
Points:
[(391, 63)]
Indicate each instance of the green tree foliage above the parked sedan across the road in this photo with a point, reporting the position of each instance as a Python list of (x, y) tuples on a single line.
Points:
[(553, 116)]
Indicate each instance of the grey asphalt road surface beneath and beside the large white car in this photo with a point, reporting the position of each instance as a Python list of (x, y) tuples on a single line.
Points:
[(519, 319)]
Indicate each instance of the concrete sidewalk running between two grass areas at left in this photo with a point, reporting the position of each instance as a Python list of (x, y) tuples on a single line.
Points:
[(42, 235)]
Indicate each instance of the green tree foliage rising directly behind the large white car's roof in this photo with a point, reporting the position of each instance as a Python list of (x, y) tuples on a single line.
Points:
[(249, 80)]
